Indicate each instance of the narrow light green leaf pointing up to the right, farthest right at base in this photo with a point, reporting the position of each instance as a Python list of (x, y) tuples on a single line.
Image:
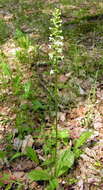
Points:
[(82, 139)]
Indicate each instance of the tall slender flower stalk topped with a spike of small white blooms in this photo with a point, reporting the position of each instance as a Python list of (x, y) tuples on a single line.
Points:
[(56, 55)]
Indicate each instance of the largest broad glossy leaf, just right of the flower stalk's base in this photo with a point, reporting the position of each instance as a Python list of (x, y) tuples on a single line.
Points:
[(65, 162)]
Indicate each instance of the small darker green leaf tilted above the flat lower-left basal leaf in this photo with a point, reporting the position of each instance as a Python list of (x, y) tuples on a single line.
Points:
[(31, 153)]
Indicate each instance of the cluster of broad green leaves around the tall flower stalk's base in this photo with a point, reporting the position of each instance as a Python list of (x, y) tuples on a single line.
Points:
[(66, 159)]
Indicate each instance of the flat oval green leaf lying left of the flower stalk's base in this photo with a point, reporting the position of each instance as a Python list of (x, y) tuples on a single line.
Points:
[(37, 175)]
